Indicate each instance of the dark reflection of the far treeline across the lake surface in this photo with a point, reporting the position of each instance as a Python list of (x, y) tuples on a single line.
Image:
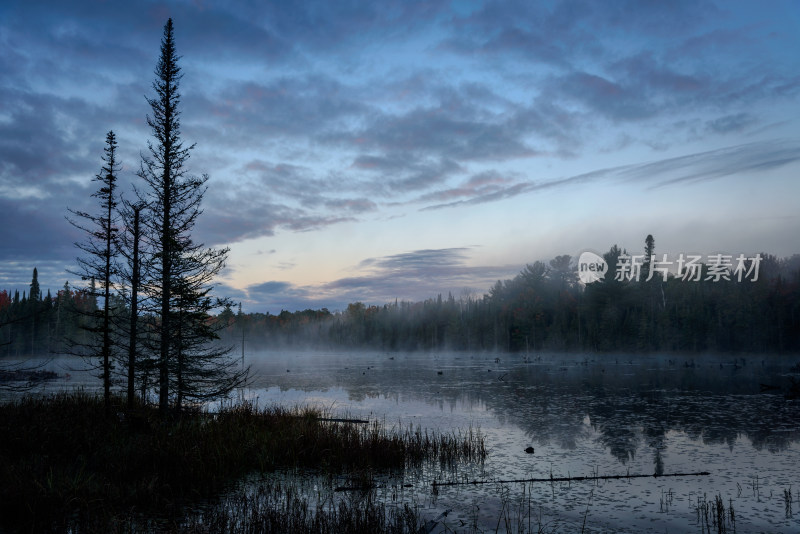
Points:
[(628, 405)]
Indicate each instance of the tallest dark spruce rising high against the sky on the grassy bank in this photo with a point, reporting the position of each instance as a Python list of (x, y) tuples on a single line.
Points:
[(183, 270)]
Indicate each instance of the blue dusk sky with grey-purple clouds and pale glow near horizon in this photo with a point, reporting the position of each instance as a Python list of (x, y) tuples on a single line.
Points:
[(374, 151)]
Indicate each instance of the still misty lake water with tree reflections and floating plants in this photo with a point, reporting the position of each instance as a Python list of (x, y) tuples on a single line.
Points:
[(584, 415)]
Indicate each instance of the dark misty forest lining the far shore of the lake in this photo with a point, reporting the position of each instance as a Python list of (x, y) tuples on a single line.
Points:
[(544, 307)]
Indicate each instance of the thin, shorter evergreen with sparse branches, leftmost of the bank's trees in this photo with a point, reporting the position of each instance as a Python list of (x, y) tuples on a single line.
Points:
[(100, 248)]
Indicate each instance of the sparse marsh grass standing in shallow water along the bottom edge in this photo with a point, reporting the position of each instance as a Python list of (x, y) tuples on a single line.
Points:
[(281, 504)]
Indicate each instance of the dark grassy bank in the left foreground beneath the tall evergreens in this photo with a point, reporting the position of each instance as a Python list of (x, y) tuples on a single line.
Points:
[(67, 462)]
